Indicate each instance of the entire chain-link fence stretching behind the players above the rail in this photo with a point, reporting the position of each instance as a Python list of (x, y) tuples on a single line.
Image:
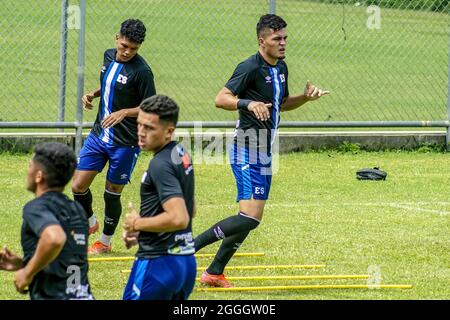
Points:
[(382, 60)]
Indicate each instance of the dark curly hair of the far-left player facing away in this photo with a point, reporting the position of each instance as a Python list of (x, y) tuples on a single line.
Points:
[(57, 161)]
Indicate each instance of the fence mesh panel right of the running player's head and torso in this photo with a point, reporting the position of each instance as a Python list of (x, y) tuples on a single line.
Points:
[(380, 63)]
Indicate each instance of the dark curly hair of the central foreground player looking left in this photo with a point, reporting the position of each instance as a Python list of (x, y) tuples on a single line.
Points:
[(163, 106)]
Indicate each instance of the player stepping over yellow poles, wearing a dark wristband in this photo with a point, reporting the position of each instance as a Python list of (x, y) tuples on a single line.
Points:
[(258, 89)]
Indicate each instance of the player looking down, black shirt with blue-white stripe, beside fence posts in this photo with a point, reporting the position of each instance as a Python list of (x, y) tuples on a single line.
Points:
[(125, 80)]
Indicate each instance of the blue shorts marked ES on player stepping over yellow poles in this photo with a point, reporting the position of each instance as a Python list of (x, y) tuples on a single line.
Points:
[(252, 173)]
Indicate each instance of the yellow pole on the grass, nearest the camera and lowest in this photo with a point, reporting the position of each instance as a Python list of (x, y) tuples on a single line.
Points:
[(308, 287)]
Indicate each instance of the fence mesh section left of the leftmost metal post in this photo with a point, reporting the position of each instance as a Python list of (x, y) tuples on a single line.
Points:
[(30, 38)]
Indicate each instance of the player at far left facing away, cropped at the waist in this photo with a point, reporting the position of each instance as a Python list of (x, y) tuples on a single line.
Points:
[(54, 232)]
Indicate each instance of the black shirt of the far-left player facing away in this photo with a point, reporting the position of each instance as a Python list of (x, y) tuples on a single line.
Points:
[(66, 276)]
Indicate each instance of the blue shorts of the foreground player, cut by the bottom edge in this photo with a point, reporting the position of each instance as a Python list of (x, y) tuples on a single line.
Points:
[(167, 277)]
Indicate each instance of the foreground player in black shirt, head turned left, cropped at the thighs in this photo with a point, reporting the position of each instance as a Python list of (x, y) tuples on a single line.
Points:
[(165, 266)]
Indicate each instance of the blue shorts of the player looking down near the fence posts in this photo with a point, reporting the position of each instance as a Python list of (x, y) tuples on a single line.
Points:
[(95, 153)]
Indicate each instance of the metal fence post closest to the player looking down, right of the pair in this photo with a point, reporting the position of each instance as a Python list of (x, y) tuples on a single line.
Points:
[(80, 73)]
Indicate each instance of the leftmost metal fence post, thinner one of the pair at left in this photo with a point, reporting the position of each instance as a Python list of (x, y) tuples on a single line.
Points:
[(62, 63)]
